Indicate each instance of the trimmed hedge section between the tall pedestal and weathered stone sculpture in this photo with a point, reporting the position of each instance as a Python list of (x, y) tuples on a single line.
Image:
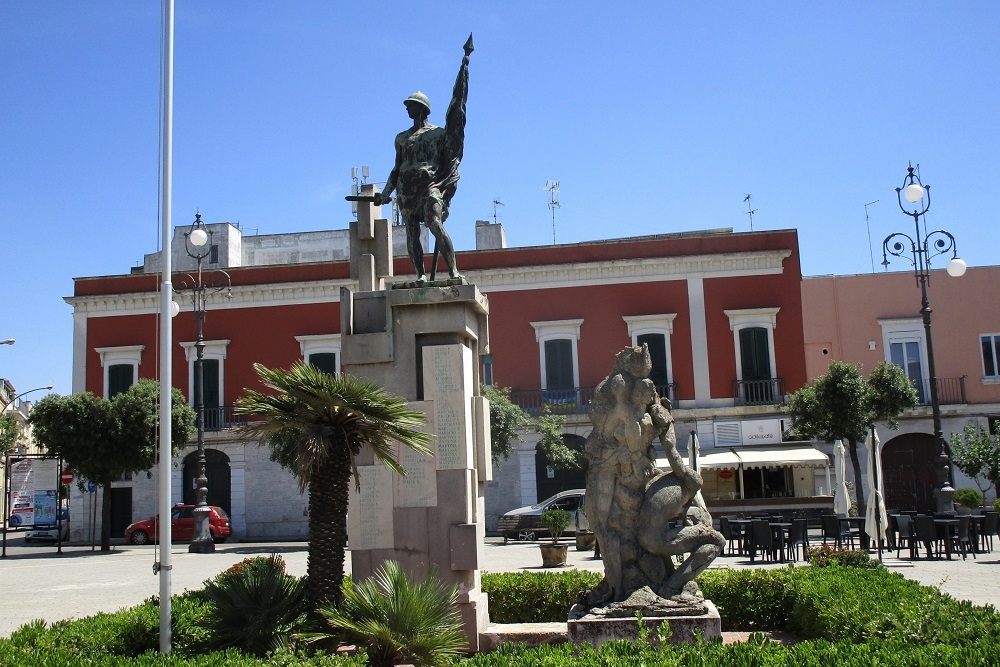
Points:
[(536, 597)]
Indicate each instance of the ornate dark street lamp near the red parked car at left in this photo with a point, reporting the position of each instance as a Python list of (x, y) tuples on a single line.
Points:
[(197, 244)]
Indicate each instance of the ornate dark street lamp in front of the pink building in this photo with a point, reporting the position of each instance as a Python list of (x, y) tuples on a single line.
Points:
[(923, 247)]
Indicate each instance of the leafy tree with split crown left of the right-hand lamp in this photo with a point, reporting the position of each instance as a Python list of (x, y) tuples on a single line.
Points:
[(842, 404)]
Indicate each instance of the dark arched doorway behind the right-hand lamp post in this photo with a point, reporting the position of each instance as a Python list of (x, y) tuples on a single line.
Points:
[(909, 471)]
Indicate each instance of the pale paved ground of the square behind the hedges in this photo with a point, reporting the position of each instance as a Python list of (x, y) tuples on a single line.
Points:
[(37, 583)]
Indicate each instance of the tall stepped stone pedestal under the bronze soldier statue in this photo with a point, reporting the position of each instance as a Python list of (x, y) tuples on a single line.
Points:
[(424, 344)]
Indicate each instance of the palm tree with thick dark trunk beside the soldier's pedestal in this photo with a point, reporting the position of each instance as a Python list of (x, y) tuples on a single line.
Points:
[(316, 425)]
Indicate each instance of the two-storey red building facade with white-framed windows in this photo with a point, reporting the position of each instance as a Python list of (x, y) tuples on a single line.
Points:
[(721, 311)]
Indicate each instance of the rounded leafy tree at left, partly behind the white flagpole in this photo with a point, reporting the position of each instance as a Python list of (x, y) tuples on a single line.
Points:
[(102, 439)]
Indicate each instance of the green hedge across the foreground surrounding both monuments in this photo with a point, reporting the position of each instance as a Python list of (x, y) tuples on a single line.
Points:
[(847, 616)]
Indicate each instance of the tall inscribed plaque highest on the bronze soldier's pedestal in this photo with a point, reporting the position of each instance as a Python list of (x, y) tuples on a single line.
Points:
[(448, 382)]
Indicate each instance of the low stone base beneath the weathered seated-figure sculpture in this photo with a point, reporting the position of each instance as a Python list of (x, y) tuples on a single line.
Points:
[(683, 629)]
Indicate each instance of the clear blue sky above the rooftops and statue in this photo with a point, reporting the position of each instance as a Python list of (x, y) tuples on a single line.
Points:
[(656, 117)]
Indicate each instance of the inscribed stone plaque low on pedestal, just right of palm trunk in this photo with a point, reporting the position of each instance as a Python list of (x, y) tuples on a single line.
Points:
[(369, 514)]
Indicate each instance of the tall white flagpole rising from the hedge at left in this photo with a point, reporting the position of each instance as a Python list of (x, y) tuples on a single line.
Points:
[(166, 328)]
